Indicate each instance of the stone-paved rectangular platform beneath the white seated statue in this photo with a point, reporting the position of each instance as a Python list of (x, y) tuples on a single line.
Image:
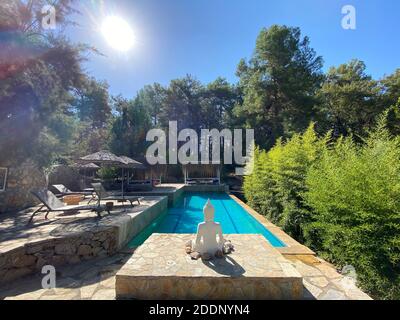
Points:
[(161, 269)]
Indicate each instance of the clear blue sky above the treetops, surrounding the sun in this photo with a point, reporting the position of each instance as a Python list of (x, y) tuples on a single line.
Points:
[(207, 38)]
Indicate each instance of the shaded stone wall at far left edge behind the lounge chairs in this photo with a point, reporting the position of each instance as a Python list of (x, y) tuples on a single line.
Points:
[(20, 181)]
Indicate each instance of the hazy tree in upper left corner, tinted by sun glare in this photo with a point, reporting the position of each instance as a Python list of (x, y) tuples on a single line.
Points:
[(39, 71)]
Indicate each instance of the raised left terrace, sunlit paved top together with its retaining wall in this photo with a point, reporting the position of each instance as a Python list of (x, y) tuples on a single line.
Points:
[(69, 239)]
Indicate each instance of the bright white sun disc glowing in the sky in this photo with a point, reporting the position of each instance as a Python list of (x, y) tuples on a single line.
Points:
[(118, 33)]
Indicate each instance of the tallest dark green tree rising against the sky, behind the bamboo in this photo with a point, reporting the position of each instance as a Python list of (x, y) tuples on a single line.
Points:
[(278, 84)]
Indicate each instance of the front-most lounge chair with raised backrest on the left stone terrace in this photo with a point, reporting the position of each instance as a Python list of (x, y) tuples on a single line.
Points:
[(52, 204)]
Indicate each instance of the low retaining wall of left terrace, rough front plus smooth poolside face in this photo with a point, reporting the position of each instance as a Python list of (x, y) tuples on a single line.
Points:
[(78, 241)]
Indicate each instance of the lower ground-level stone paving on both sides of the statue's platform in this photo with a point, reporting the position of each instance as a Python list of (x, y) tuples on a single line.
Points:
[(95, 280)]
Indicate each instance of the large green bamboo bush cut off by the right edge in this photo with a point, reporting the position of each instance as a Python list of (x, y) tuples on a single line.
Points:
[(354, 192)]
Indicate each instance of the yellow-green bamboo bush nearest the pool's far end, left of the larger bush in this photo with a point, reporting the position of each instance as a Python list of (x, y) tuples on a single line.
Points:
[(275, 186)]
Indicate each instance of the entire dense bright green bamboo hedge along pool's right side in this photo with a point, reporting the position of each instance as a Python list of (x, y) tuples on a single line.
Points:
[(340, 198)]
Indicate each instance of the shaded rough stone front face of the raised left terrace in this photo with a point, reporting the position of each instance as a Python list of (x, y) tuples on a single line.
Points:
[(56, 252)]
